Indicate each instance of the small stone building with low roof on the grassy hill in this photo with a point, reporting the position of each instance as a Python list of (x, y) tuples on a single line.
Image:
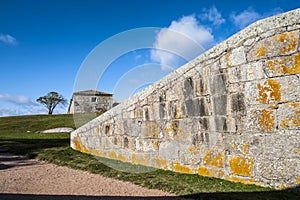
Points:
[(90, 101)]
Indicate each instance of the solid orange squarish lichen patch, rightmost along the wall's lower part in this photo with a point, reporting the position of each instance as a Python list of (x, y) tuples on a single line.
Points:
[(241, 166)]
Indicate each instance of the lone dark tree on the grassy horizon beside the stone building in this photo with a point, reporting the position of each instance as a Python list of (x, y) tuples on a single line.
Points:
[(51, 100)]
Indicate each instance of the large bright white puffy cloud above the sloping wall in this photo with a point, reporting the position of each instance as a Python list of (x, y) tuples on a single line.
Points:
[(184, 39)]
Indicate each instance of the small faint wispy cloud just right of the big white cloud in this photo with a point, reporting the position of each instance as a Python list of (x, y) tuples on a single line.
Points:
[(212, 15)]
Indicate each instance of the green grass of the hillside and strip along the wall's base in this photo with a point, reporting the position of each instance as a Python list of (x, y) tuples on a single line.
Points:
[(20, 135)]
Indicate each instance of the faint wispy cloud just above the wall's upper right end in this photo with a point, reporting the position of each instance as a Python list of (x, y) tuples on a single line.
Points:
[(249, 16)]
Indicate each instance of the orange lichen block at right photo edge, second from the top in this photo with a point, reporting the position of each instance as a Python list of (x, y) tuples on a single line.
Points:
[(279, 66)]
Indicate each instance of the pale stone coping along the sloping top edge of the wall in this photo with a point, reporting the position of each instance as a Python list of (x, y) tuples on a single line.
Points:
[(286, 19)]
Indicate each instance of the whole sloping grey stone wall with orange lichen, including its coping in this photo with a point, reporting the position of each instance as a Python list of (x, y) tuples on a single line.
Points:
[(232, 113)]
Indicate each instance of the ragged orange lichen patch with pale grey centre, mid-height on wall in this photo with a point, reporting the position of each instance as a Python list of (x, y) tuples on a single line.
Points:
[(270, 91)]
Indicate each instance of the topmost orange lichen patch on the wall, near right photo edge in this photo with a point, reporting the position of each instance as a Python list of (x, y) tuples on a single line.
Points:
[(289, 41)]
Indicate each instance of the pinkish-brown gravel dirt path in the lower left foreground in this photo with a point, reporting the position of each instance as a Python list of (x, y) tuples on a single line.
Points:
[(22, 178)]
